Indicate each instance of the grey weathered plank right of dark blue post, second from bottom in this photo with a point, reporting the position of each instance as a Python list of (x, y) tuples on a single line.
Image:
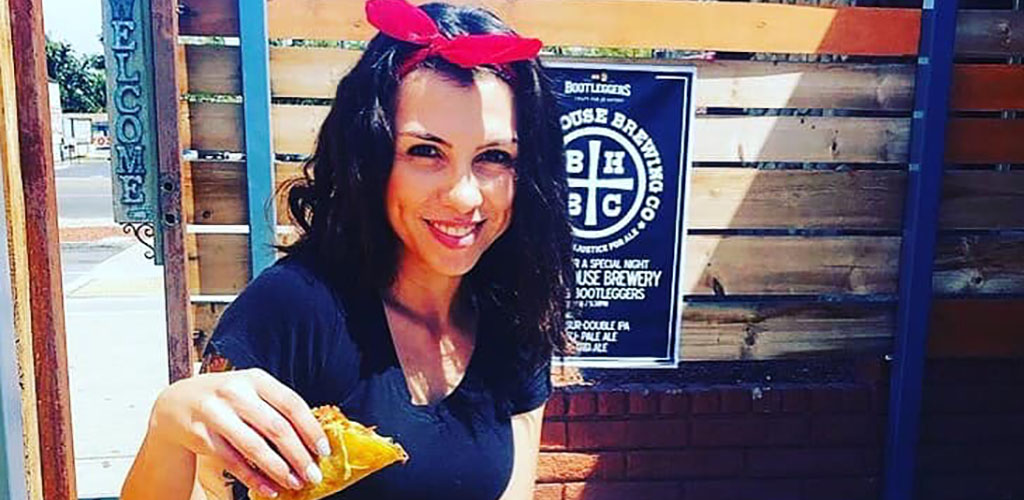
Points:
[(979, 265)]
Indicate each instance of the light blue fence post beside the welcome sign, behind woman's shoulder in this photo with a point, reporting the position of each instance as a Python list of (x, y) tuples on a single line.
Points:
[(260, 149)]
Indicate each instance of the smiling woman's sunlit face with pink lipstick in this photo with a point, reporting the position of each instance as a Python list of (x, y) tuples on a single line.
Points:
[(453, 182)]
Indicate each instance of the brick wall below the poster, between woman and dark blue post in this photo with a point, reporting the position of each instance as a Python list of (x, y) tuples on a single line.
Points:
[(731, 442)]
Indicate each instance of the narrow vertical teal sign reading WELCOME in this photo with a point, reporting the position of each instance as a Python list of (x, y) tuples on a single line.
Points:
[(130, 91)]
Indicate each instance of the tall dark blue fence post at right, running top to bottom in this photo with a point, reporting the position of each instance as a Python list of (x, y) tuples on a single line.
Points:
[(921, 216)]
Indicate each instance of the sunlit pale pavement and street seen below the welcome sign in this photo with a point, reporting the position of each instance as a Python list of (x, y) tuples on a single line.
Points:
[(114, 310)]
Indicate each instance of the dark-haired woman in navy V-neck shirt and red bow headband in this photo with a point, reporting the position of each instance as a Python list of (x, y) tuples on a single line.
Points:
[(425, 297)]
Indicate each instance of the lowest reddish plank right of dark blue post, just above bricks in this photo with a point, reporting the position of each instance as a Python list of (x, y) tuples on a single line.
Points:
[(972, 328)]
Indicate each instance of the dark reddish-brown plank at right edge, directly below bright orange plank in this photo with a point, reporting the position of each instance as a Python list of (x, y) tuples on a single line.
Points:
[(974, 141)]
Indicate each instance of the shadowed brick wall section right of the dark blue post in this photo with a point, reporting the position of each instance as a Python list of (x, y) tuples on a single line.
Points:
[(972, 431)]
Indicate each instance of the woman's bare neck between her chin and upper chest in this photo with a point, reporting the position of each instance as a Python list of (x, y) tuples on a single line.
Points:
[(425, 297)]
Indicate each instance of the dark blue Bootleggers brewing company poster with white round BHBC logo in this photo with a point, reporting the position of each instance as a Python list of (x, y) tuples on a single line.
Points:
[(627, 135)]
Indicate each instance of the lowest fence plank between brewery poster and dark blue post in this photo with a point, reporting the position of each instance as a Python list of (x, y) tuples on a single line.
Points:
[(764, 331)]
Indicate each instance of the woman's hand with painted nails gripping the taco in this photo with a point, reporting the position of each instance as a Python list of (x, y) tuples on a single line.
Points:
[(234, 419)]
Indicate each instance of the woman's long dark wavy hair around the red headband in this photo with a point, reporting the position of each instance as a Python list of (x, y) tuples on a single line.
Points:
[(339, 202)]
